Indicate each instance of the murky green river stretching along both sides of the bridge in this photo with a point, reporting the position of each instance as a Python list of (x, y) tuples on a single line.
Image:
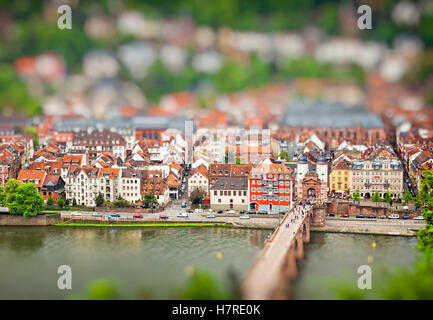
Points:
[(152, 262)]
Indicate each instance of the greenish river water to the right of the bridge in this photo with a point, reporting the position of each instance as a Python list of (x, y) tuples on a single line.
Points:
[(333, 257)]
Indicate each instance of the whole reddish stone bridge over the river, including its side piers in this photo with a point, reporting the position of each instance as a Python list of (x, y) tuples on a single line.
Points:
[(275, 268)]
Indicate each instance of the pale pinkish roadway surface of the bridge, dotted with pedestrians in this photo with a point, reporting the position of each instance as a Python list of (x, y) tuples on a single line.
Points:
[(264, 275)]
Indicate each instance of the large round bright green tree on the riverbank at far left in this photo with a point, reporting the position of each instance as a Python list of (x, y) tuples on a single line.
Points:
[(26, 200)]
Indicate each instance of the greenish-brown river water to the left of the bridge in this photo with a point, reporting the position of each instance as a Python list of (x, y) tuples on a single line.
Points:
[(145, 261)]
